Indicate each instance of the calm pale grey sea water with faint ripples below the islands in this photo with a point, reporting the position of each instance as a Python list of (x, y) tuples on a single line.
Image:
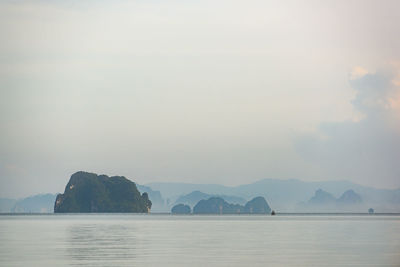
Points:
[(166, 240)]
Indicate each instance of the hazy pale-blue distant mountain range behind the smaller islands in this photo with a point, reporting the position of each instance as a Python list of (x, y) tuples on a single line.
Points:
[(289, 195)]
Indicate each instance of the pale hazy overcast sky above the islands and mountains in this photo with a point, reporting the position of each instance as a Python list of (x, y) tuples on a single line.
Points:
[(226, 92)]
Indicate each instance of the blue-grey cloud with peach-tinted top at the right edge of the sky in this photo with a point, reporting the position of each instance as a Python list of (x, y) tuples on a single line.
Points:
[(368, 150)]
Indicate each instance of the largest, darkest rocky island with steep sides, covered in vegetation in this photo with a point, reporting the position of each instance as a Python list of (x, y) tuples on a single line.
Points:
[(89, 192)]
